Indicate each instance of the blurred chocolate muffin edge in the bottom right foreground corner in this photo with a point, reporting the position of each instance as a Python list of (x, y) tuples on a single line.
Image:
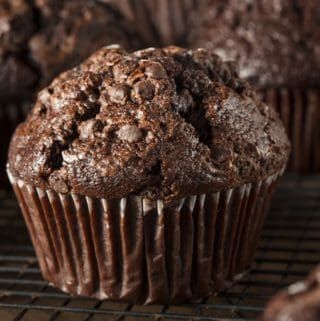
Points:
[(299, 302)]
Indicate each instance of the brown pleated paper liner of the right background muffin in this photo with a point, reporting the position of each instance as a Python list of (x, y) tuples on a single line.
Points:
[(299, 109)]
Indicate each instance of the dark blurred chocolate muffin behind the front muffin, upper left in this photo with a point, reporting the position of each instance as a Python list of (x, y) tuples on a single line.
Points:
[(39, 39)]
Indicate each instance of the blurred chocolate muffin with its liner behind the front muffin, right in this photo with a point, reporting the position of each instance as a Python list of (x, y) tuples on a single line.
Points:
[(277, 44)]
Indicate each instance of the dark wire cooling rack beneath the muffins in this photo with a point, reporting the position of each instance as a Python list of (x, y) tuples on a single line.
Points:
[(289, 248)]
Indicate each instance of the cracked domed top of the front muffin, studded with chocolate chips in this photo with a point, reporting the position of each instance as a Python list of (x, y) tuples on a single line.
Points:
[(160, 123)]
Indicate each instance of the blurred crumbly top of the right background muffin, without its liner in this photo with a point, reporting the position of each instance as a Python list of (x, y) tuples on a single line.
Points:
[(276, 42)]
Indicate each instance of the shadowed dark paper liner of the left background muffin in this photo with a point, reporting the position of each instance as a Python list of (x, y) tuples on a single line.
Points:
[(10, 116)]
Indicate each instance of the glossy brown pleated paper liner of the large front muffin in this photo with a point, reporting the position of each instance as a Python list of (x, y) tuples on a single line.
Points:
[(138, 251)]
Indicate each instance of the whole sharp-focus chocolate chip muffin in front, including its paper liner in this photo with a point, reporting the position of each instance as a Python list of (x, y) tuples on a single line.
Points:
[(157, 166)]
